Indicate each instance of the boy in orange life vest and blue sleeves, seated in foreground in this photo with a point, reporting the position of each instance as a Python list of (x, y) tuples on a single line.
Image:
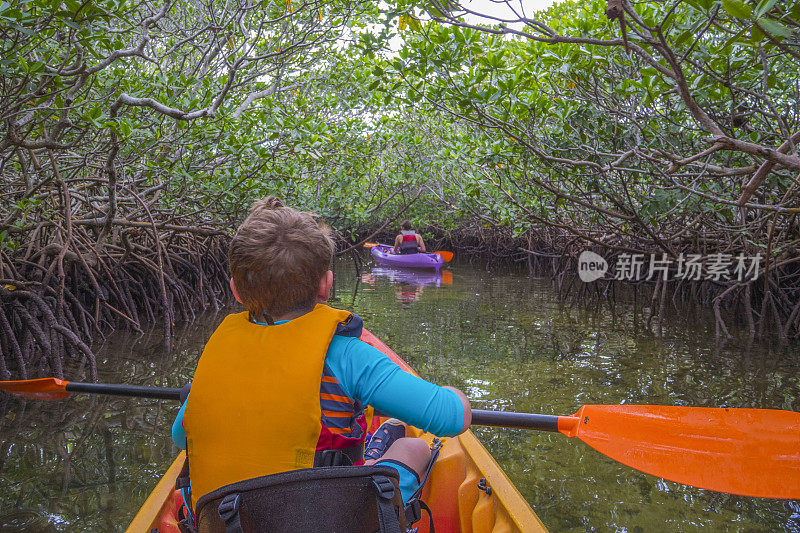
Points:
[(288, 379)]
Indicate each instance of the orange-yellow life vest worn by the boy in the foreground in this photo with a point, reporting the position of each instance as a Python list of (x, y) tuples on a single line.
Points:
[(255, 409)]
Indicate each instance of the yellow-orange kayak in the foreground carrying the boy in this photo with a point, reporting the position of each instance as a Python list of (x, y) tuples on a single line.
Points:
[(467, 491)]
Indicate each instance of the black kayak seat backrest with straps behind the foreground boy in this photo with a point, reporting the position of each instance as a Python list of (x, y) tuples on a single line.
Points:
[(355, 499)]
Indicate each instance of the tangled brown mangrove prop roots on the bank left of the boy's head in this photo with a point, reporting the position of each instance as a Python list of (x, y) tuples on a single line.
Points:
[(57, 294)]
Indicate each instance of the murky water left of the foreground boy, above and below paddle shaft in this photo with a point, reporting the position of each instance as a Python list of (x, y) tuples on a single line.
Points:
[(86, 463)]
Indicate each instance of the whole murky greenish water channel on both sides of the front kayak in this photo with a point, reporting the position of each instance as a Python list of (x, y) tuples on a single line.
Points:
[(87, 464)]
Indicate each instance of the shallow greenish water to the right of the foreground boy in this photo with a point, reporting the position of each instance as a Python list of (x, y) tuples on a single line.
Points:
[(506, 340)]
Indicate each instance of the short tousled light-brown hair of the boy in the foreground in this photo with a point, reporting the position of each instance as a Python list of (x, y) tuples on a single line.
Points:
[(277, 259)]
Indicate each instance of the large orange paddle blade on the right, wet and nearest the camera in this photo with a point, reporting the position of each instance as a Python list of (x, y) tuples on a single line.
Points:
[(751, 452)]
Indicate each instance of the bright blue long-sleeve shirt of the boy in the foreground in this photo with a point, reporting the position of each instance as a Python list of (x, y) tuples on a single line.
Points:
[(366, 374)]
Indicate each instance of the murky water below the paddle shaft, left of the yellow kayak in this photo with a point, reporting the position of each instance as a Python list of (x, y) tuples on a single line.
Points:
[(69, 465)]
